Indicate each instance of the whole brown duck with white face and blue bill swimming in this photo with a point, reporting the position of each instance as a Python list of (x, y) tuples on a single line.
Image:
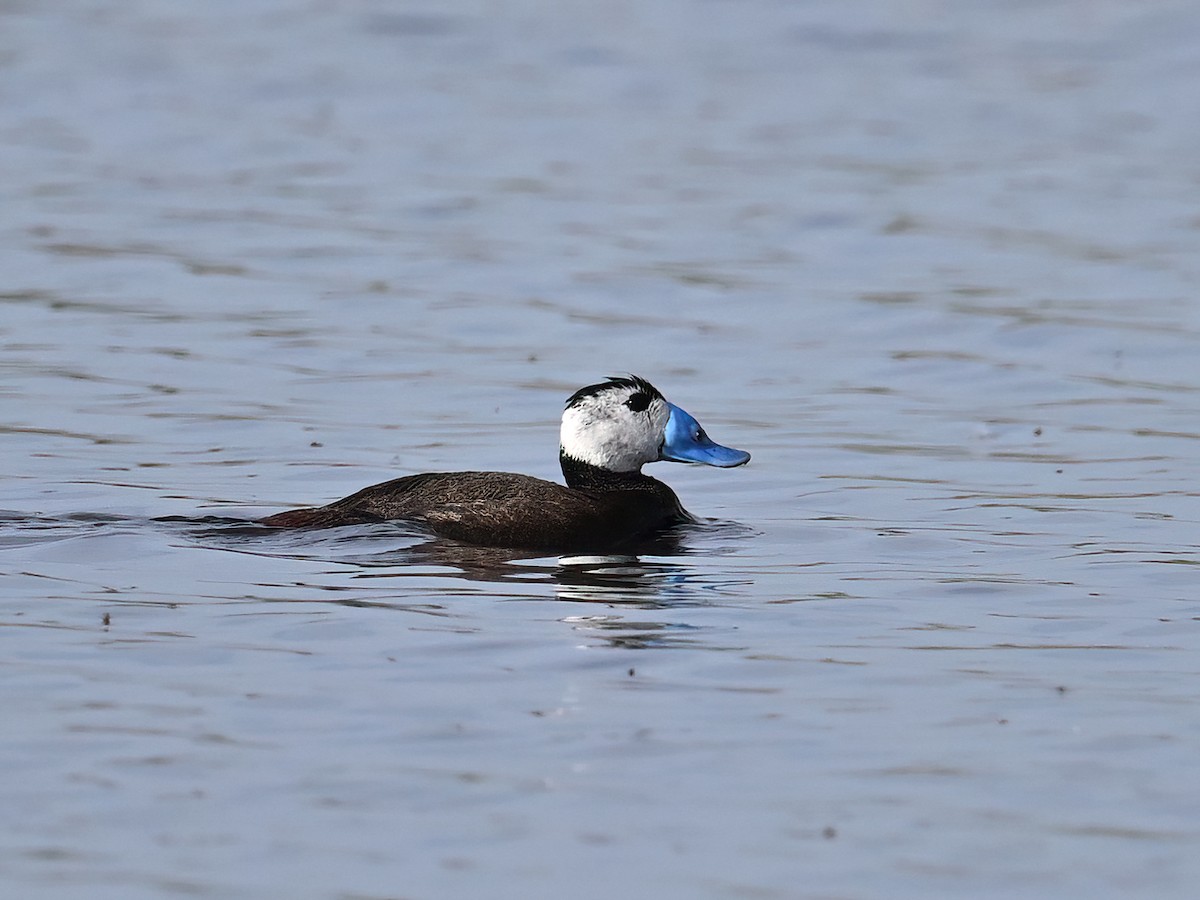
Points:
[(609, 433)]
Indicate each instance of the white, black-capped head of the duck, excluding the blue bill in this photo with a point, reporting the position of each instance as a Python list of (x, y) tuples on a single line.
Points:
[(603, 430)]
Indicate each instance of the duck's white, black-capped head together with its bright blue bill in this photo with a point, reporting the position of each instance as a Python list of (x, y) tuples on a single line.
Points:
[(622, 424)]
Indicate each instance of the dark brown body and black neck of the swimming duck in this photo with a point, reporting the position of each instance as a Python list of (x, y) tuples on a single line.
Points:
[(598, 512)]
